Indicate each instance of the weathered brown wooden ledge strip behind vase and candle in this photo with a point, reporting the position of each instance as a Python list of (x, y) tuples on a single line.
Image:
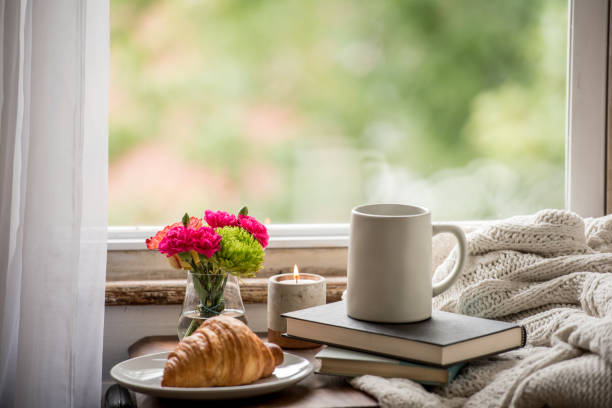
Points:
[(172, 291)]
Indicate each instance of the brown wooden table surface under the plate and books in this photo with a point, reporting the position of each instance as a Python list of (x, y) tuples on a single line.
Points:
[(320, 391)]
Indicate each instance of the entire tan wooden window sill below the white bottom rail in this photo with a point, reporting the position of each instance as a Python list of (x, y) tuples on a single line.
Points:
[(141, 277)]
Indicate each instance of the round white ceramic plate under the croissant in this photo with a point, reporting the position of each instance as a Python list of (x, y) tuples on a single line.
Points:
[(143, 374)]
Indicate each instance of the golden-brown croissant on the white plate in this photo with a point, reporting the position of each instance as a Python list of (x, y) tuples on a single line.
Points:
[(223, 351)]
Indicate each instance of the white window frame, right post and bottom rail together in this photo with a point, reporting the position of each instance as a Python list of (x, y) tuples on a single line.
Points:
[(586, 135)]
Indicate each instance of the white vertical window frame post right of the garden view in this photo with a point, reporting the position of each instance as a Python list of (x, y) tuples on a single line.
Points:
[(587, 107)]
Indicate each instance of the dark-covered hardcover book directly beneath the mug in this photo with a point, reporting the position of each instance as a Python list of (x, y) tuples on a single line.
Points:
[(444, 339)]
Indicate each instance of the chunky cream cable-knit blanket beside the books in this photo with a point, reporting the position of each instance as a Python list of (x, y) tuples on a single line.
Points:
[(550, 272)]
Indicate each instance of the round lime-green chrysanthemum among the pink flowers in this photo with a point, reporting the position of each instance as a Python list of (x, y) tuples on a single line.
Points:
[(240, 253)]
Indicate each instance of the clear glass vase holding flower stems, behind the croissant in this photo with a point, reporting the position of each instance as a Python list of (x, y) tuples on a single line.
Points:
[(208, 295)]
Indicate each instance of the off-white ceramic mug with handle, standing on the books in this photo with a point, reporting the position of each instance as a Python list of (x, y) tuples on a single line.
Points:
[(389, 263)]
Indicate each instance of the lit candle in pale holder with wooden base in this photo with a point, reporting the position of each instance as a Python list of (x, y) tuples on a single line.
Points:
[(286, 294)]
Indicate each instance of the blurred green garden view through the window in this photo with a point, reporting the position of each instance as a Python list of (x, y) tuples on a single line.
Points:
[(304, 109)]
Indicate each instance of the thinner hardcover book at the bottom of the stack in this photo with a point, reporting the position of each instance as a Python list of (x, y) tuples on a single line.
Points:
[(337, 361)]
